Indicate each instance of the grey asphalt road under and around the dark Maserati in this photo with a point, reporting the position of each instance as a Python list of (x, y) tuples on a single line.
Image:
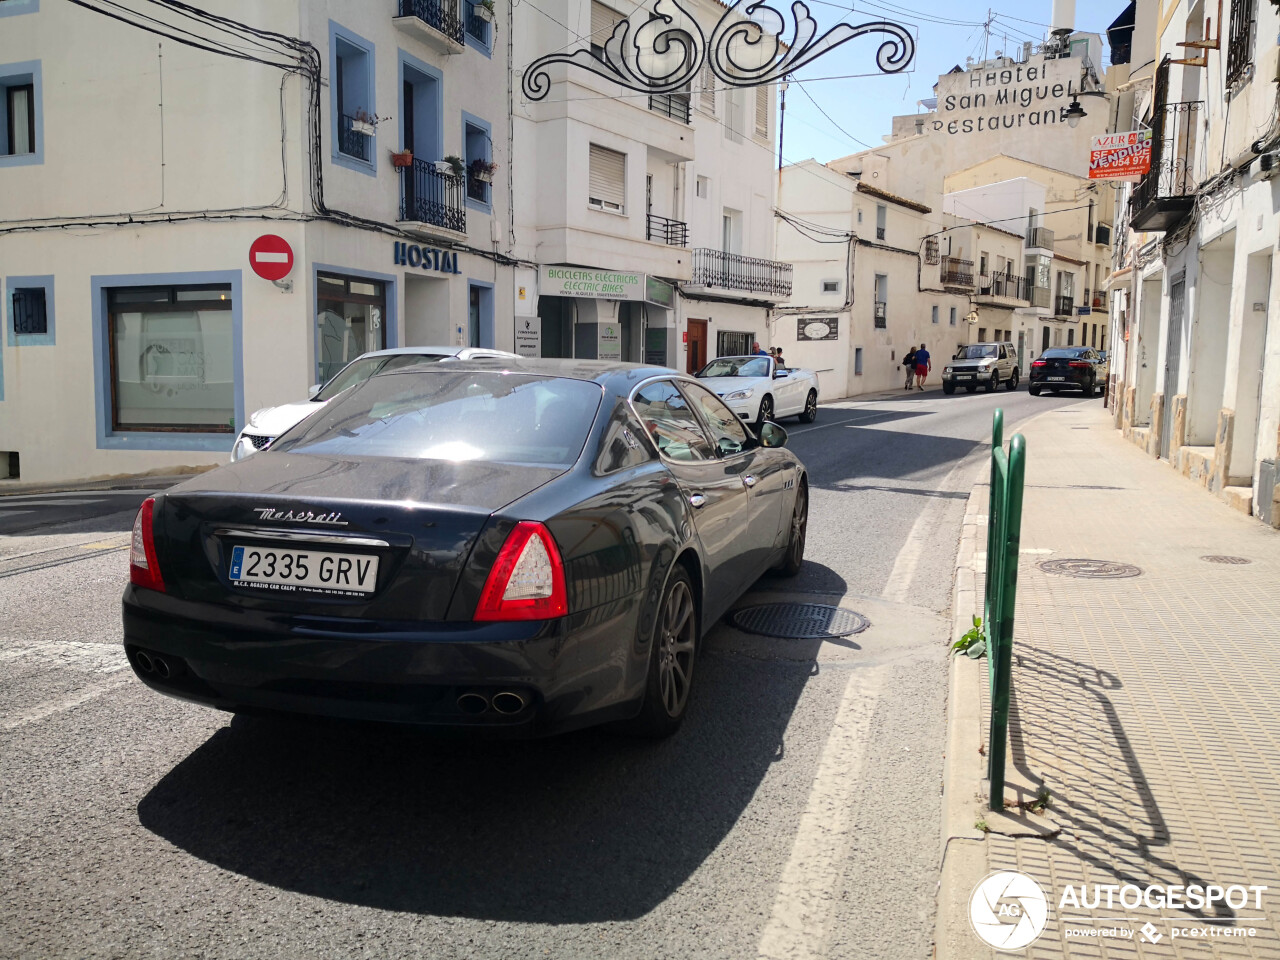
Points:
[(797, 815)]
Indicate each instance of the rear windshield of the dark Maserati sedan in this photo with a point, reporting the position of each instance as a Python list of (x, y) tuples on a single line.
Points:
[(432, 414)]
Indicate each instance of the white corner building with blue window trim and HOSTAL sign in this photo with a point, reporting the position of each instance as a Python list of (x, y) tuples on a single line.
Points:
[(139, 332)]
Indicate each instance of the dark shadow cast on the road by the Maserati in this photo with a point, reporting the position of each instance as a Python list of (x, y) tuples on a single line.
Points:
[(582, 829)]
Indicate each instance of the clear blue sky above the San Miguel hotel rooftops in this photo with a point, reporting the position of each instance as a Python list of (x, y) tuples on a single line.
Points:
[(862, 108)]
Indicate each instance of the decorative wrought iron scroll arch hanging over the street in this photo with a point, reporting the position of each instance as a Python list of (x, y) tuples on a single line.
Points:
[(666, 51)]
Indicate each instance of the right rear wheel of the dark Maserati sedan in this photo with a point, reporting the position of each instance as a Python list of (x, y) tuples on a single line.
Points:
[(671, 661)]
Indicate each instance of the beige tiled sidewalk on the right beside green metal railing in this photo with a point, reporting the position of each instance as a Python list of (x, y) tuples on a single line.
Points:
[(1149, 706)]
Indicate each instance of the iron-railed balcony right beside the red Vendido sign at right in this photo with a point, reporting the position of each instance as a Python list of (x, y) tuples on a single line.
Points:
[(1167, 194)]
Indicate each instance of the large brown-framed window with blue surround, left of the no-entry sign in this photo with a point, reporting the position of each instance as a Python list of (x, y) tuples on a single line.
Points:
[(172, 359)]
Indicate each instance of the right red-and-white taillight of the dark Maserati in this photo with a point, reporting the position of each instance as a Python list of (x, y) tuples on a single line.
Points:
[(528, 579)]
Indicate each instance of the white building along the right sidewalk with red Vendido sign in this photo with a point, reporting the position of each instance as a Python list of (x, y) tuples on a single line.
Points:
[(1196, 292)]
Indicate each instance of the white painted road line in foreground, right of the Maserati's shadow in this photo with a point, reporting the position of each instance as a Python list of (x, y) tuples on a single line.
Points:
[(799, 924)]
